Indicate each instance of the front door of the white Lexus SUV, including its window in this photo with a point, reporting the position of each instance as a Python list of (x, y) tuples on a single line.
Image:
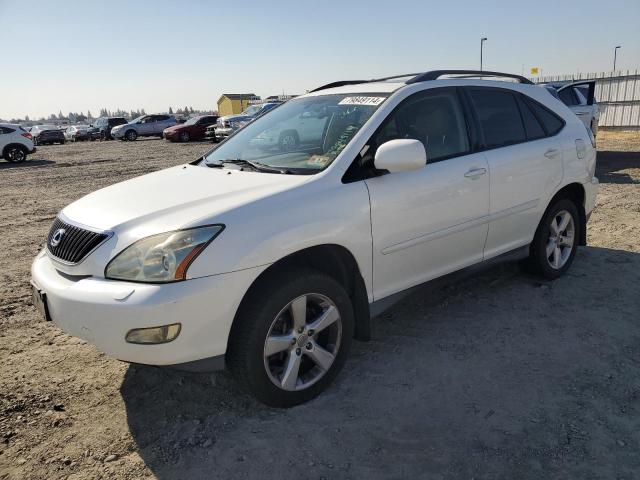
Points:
[(430, 221)]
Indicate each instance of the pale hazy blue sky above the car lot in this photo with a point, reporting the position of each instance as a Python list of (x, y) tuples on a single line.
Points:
[(86, 55)]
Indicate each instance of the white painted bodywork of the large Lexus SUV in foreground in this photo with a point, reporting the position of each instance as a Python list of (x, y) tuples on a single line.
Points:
[(401, 228)]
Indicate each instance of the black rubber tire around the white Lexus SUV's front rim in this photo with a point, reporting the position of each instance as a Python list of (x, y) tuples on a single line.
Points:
[(254, 319)]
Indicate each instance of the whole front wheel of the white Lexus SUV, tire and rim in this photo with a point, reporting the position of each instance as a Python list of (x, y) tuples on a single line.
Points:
[(291, 337)]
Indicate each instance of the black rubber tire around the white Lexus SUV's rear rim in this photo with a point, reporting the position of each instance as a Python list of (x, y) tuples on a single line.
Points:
[(538, 261)]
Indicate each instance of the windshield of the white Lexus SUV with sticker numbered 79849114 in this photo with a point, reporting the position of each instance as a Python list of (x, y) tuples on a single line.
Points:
[(303, 135)]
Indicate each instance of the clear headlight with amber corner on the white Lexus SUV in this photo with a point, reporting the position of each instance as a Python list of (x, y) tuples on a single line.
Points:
[(161, 258)]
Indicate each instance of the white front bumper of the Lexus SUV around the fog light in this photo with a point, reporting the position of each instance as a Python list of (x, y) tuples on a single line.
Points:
[(102, 311)]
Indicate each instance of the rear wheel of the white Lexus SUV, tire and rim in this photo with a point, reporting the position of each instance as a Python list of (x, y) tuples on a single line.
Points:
[(555, 243)]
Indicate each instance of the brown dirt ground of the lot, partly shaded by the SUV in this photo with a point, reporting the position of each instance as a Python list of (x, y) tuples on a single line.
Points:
[(499, 375)]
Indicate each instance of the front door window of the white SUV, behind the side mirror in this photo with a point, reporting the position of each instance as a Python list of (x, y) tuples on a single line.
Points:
[(435, 118)]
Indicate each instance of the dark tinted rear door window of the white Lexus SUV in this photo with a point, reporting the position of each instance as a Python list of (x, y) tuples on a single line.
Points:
[(499, 117)]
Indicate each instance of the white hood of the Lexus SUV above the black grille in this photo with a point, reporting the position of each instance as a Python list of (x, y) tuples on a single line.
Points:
[(174, 198)]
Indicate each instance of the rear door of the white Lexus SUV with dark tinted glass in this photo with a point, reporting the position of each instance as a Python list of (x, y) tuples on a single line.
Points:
[(525, 162)]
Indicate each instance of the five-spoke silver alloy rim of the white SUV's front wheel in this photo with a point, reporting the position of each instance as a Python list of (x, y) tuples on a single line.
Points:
[(303, 342)]
